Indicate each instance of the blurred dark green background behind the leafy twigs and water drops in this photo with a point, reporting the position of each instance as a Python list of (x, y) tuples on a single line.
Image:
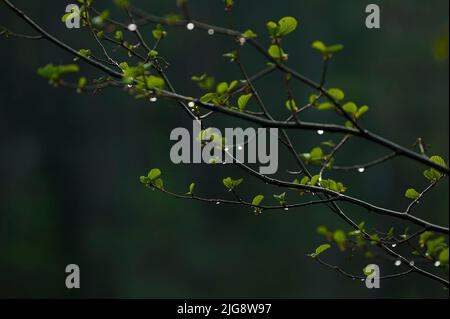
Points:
[(70, 163)]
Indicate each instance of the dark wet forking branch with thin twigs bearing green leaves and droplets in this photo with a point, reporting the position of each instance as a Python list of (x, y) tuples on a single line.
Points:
[(264, 119)]
